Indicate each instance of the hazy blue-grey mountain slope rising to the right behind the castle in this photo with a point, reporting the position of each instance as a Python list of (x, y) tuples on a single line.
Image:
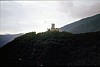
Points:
[(90, 24)]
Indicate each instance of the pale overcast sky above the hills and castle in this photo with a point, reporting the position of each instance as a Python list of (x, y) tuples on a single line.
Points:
[(27, 16)]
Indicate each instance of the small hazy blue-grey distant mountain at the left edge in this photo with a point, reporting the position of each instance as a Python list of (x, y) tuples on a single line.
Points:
[(4, 39)]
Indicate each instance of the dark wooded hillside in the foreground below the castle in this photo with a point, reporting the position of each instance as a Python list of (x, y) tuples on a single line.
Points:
[(52, 49)]
